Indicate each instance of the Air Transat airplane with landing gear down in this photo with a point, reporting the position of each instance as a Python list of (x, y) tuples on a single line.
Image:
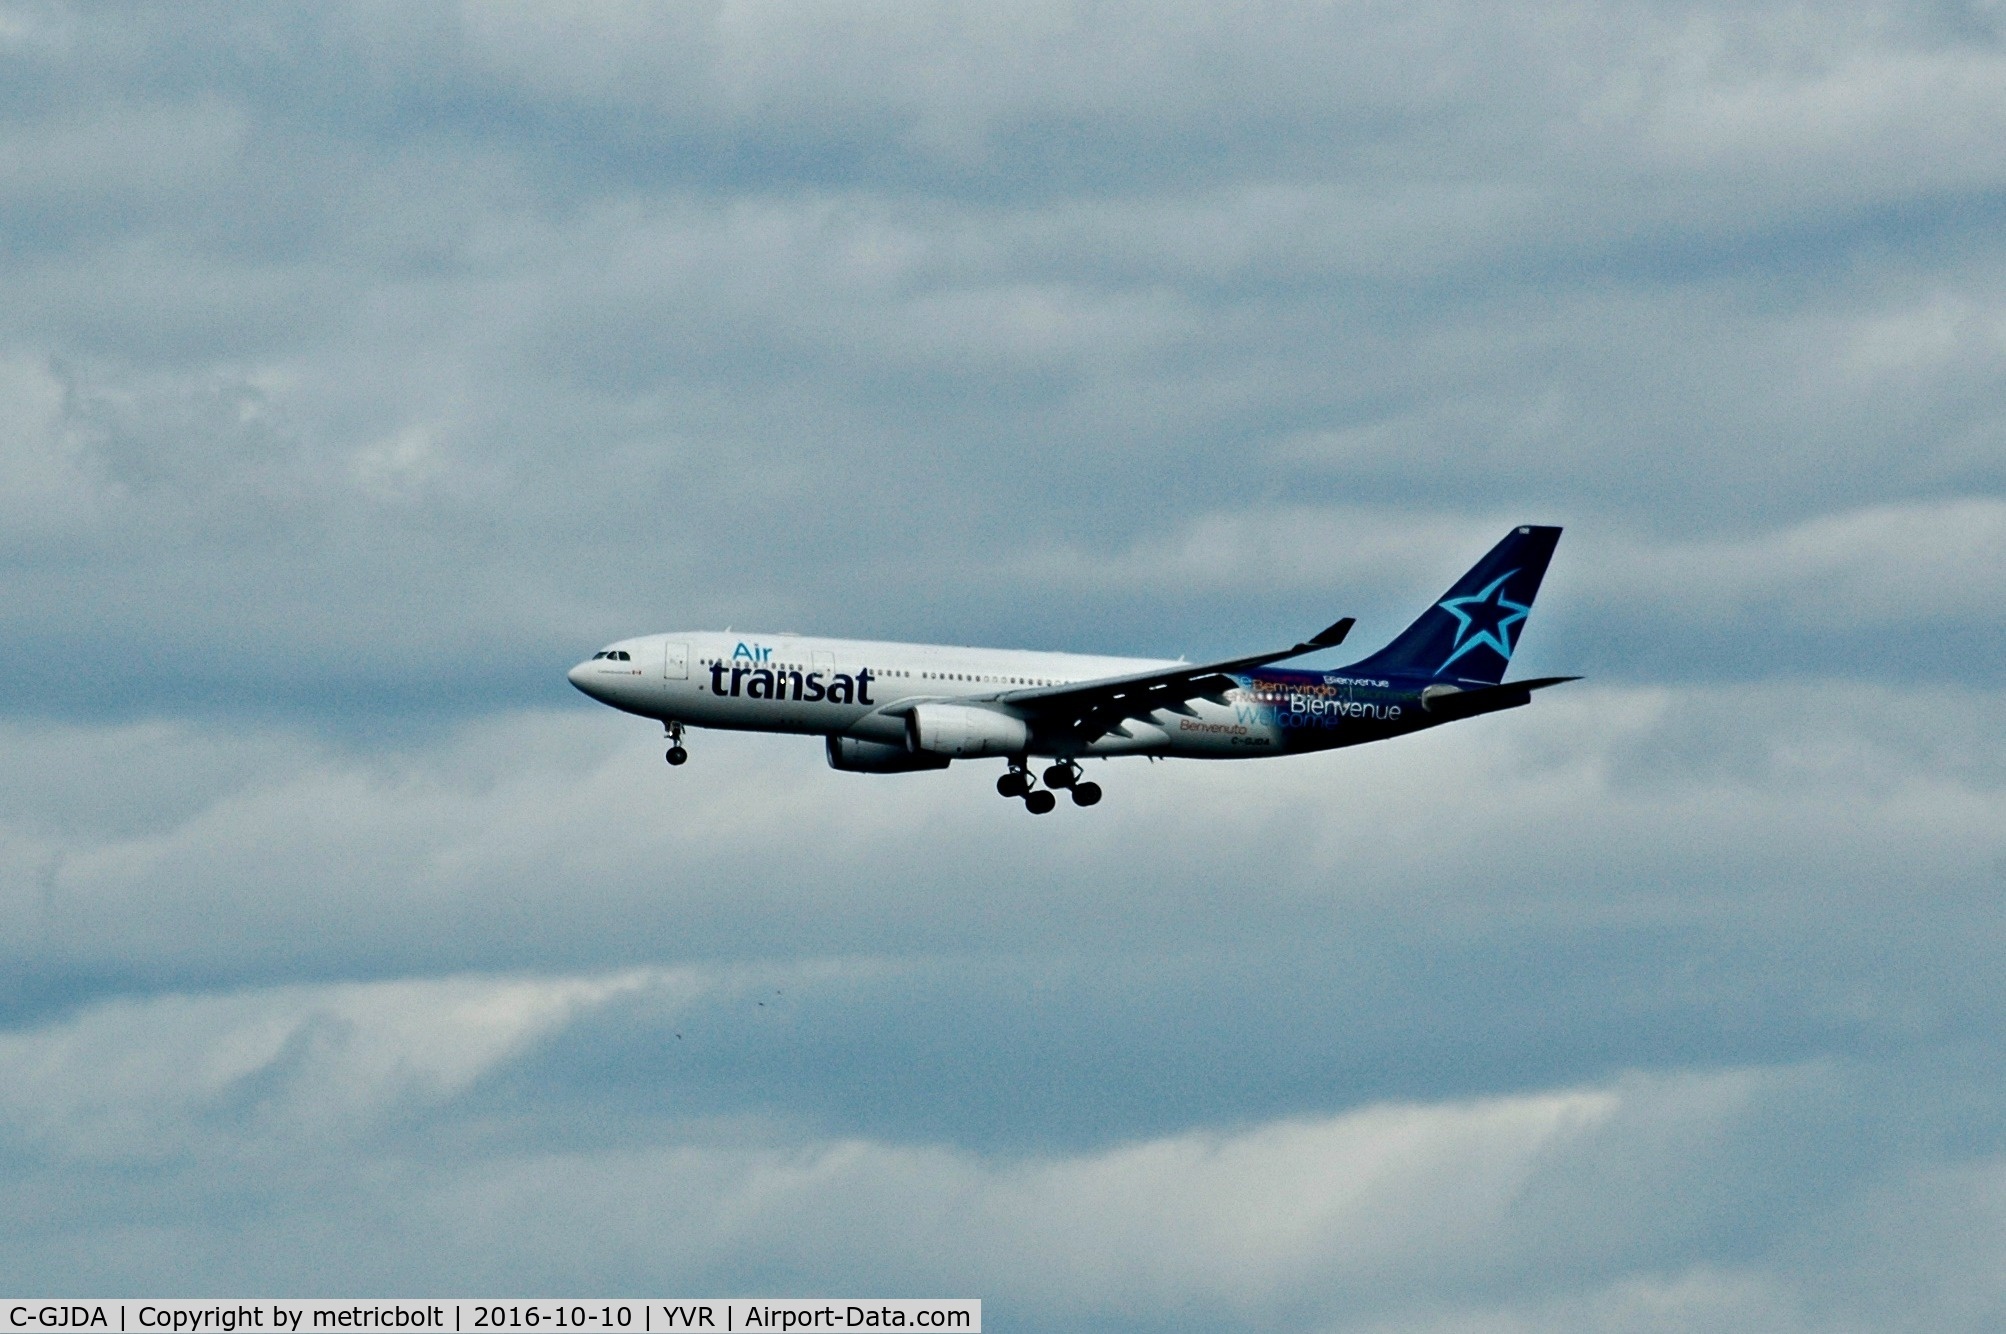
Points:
[(892, 709)]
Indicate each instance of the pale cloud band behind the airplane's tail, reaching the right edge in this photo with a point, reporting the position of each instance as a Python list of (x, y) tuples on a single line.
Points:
[(1885, 589)]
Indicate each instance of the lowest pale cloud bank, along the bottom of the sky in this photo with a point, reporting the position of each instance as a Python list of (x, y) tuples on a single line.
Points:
[(1588, 1207)]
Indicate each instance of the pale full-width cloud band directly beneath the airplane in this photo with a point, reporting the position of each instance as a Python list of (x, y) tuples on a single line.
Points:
[(565, 838)]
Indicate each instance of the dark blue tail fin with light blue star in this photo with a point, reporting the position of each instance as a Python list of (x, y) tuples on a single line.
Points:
[(1469, 633)]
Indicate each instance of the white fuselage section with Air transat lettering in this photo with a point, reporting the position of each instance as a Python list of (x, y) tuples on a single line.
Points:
[(783, 683)]
